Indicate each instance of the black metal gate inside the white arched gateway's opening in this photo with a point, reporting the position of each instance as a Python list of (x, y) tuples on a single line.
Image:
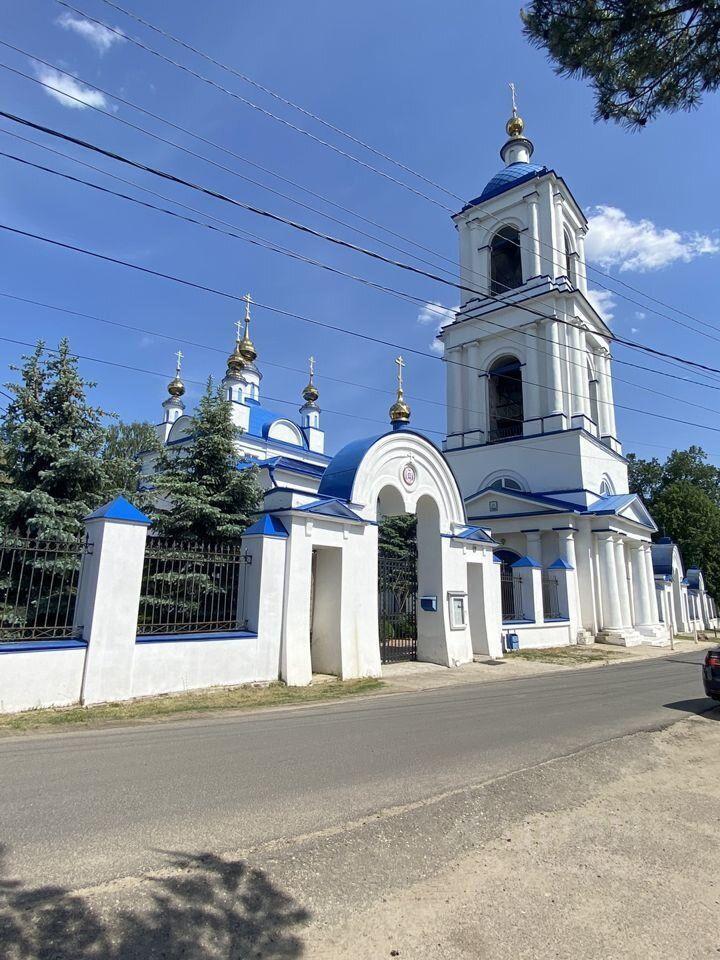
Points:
[(397, 608)]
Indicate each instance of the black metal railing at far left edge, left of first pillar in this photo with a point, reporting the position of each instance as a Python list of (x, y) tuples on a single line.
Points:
[(38, 587)]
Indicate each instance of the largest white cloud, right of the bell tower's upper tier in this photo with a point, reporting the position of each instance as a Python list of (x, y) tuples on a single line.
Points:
[(614, 240)]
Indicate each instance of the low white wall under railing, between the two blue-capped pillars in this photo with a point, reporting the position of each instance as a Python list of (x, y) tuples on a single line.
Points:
[(169, 666)]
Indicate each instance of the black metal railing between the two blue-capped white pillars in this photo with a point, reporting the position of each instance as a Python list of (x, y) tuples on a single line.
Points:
[(192, 587)]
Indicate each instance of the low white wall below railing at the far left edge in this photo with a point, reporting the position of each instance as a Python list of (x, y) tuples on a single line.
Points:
[(40, 678)]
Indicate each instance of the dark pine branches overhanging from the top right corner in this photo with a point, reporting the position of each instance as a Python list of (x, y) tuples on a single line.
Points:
[(641, 57)]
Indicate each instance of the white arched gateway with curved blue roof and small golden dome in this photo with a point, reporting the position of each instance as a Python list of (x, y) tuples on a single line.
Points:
[(322, 554)]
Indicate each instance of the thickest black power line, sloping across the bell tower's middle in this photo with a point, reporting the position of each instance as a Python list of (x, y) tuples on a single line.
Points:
[(345, 244)]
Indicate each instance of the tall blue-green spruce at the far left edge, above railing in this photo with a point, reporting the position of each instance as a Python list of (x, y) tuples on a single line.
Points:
[(52, 439)]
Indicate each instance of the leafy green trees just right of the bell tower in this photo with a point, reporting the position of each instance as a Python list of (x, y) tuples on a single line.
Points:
[(683, 496)]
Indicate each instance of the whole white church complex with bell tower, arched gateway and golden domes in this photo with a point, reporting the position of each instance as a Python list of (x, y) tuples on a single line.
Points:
[(525, 524)]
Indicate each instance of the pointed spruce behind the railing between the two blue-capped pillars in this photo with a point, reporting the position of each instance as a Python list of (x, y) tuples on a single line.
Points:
[(211, 500)]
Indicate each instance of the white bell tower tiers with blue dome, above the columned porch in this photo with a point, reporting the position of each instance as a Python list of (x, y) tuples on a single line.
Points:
[(527, 356)]
